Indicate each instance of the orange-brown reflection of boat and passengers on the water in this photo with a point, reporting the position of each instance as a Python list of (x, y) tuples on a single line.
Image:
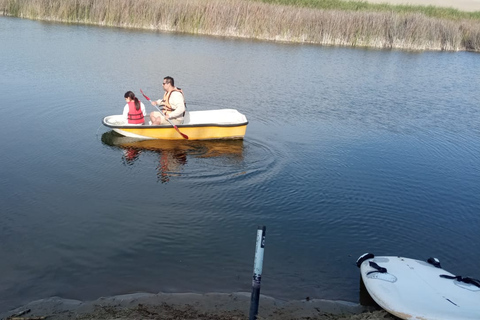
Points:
[(173, 154)]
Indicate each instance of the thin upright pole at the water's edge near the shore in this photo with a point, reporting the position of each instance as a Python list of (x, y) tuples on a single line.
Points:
[(257, 272)]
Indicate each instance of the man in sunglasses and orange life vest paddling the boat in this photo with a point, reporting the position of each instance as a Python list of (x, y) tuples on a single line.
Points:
[(173, 104)]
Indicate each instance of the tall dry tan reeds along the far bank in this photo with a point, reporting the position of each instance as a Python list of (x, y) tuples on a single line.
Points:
[(306, 22)]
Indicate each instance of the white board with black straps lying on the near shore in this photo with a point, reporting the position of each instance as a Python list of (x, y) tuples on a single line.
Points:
[(413, 289)]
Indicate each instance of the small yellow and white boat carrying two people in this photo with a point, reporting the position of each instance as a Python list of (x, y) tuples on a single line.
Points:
[(197, 125)]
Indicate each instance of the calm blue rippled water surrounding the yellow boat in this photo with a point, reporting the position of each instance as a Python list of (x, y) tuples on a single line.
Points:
[(347, 151)]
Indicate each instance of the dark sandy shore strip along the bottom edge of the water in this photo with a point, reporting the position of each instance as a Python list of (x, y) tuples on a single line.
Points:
[(221, 306)]
